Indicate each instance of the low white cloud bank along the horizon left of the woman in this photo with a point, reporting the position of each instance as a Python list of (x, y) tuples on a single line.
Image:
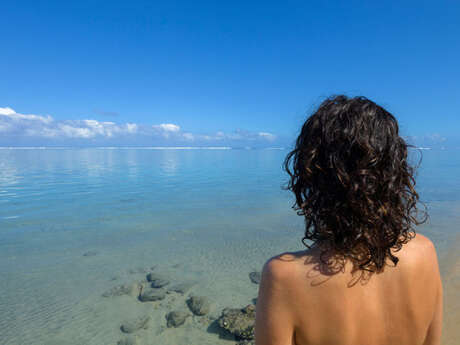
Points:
[(18, 129)]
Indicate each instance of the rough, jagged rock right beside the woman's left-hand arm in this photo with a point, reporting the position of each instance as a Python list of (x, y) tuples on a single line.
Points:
[(239, 322)]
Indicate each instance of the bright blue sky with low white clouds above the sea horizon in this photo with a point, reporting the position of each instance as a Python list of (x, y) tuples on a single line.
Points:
[(214, 73)]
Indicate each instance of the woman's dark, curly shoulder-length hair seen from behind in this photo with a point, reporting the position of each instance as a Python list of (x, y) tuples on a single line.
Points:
[(352, 182)]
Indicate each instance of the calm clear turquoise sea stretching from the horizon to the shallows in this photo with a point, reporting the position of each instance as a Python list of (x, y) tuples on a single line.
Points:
[(75, 223)]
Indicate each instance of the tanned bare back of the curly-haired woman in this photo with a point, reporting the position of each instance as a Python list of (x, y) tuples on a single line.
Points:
[(397, 306)]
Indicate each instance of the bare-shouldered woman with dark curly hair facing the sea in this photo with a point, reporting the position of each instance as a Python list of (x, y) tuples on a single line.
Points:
[(365, 278)]
